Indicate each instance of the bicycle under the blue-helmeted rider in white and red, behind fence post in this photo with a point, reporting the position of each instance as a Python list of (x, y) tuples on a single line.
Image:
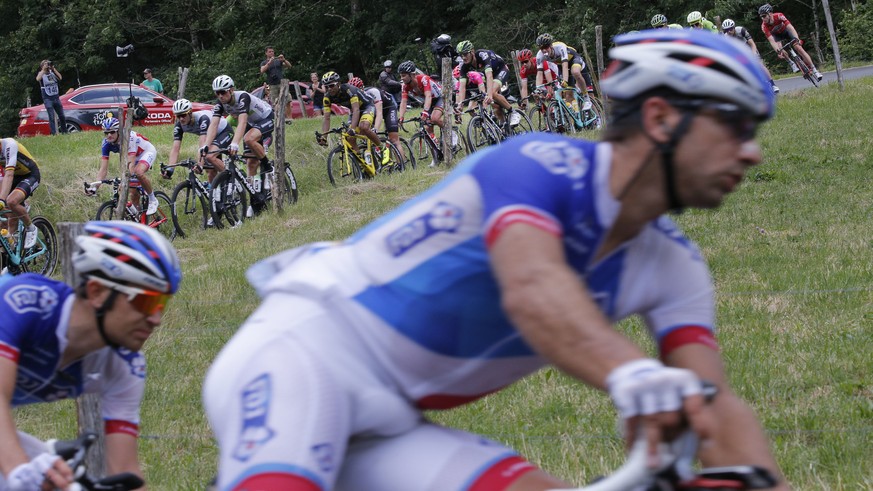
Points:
[(161, 220)]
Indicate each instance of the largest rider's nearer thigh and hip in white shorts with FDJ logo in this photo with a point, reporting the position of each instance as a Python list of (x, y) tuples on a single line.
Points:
[(279, 413)]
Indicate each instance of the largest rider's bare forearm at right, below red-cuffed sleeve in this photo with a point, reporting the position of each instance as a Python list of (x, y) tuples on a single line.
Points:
[(737, 437)]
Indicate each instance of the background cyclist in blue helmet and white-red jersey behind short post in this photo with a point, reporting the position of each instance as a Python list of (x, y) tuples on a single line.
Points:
[(141, 156)]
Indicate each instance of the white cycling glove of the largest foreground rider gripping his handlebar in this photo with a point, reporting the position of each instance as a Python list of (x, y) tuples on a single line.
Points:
[(646, 386)]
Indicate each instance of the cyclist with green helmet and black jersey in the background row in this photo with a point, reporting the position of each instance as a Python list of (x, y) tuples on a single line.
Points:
[(496, 76)]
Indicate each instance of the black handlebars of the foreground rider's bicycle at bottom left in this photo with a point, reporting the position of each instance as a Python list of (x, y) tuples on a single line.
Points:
[(74, 453)]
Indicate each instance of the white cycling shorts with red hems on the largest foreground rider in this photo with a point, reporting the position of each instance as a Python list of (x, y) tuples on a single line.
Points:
[(296, 403)]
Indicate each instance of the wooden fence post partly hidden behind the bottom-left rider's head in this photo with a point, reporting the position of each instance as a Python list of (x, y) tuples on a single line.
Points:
[(88, 411)]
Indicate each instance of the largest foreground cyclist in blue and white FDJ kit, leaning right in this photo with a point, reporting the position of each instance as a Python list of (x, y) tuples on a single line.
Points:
[(524, 256)]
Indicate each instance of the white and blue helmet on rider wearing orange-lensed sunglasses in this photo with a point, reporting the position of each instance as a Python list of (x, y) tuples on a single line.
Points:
[(128, 253)]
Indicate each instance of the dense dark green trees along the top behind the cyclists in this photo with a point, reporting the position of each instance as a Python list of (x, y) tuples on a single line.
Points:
[(229, 36)]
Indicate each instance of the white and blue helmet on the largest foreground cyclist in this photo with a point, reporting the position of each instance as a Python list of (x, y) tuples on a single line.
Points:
[(696, 63)]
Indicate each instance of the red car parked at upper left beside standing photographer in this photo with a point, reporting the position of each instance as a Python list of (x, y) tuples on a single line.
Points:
[(85, 108)]
